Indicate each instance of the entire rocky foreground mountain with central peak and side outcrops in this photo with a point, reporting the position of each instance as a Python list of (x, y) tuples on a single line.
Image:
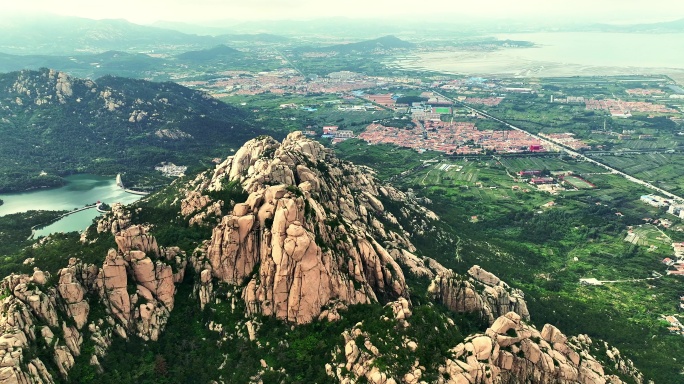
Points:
[(291, 234)]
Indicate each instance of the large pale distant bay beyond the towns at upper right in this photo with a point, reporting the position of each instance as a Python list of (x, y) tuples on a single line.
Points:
[(565, 54)]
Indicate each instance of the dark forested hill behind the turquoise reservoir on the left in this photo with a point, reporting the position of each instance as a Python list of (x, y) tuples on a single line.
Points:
[(111, 126)]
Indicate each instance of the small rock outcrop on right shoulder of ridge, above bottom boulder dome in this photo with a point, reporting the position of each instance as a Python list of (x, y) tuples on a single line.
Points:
[(482, 293)]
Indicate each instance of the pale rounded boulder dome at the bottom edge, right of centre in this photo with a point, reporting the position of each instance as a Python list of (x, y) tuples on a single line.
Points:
[(511, 351)]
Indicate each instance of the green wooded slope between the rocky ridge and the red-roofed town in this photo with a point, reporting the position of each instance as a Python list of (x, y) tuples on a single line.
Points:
[(580, 236)]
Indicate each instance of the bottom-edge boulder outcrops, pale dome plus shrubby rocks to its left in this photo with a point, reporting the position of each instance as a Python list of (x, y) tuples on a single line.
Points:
[(510, 351)]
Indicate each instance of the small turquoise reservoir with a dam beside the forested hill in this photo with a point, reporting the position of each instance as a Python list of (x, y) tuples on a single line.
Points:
[(80, 190)]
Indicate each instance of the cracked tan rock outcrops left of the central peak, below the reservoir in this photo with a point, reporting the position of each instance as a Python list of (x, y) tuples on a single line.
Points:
[(139, 265)]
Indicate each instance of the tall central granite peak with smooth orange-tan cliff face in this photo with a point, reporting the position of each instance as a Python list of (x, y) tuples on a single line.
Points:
[(310, 232)]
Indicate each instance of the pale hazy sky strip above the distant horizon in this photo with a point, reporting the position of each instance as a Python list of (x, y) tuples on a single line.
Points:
[(146, 11)]
